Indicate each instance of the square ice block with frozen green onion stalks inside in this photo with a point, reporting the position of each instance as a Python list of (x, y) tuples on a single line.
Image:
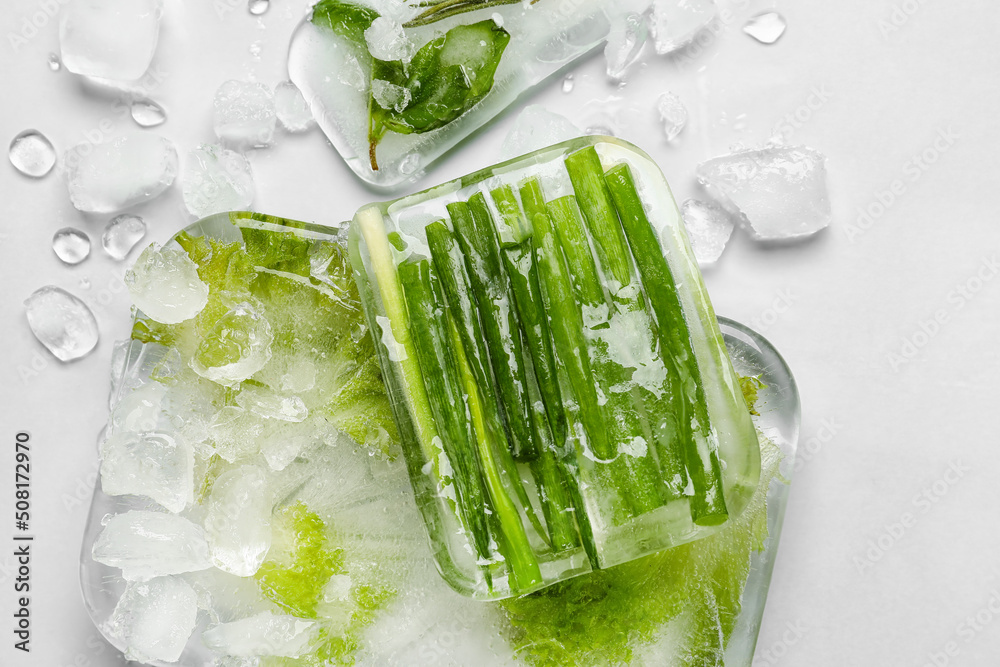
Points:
[(562, 390)]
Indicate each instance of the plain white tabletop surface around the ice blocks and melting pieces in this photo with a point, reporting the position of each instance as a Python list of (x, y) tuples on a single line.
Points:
[(851, 587)]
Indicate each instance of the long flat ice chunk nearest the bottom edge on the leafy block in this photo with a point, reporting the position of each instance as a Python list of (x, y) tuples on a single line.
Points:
[(264, 634)]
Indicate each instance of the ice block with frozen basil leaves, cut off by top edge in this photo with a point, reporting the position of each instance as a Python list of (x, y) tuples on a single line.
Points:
[(394, 90)]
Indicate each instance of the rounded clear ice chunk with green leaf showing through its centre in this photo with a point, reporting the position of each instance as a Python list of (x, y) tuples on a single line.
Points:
[(236, 347)]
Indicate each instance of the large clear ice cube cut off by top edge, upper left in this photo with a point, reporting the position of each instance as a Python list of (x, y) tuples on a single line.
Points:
[(109, 39)]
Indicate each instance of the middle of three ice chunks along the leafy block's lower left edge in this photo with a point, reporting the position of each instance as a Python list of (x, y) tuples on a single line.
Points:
[(146, 545)]
